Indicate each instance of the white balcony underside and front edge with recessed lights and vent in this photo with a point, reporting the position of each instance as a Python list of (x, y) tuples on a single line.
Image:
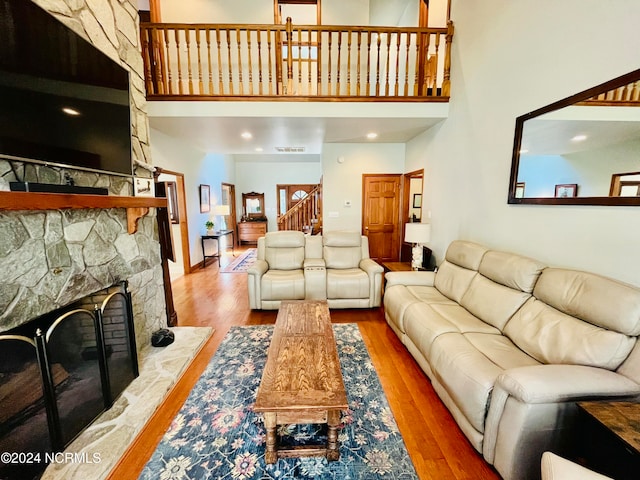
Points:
[(216, 127)]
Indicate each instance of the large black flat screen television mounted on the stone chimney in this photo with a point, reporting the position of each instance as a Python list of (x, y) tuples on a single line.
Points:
[(63, 102)]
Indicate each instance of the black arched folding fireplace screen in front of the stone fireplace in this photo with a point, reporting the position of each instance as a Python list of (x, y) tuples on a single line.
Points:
[(59, 372)]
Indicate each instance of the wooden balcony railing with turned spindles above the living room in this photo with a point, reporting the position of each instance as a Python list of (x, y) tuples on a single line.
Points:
[(198, 61)]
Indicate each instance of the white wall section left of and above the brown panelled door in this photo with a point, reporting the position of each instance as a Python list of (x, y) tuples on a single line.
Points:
[(342, 182)]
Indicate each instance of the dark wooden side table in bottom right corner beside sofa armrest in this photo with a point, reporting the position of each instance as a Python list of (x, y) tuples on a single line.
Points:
[(609, 438)]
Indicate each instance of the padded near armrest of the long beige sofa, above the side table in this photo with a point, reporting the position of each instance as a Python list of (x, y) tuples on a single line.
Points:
[(564, 383)]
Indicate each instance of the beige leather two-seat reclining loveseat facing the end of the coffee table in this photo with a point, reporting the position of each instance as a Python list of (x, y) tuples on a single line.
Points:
[(335, 267)]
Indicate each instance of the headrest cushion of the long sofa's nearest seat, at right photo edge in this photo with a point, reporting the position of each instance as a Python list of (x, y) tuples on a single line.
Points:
[(593, 298)]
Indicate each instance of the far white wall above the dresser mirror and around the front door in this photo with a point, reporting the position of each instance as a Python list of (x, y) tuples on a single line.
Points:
[(262, 176)]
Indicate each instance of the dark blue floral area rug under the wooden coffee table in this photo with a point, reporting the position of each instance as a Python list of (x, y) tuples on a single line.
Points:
[(216, 434)]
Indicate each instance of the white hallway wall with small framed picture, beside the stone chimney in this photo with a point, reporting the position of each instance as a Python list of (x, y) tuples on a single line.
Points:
[(198, 168)]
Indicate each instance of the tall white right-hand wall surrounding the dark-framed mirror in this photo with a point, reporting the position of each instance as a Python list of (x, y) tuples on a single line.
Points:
[(510, 58)]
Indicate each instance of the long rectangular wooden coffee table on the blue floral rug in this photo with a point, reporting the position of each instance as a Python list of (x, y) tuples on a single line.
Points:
[(302, 382)]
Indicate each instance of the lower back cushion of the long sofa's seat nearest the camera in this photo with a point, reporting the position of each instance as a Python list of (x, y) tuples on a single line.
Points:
[(551, 336)]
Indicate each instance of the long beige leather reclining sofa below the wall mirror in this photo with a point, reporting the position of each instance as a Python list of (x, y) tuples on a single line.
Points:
[(510, 344)]
